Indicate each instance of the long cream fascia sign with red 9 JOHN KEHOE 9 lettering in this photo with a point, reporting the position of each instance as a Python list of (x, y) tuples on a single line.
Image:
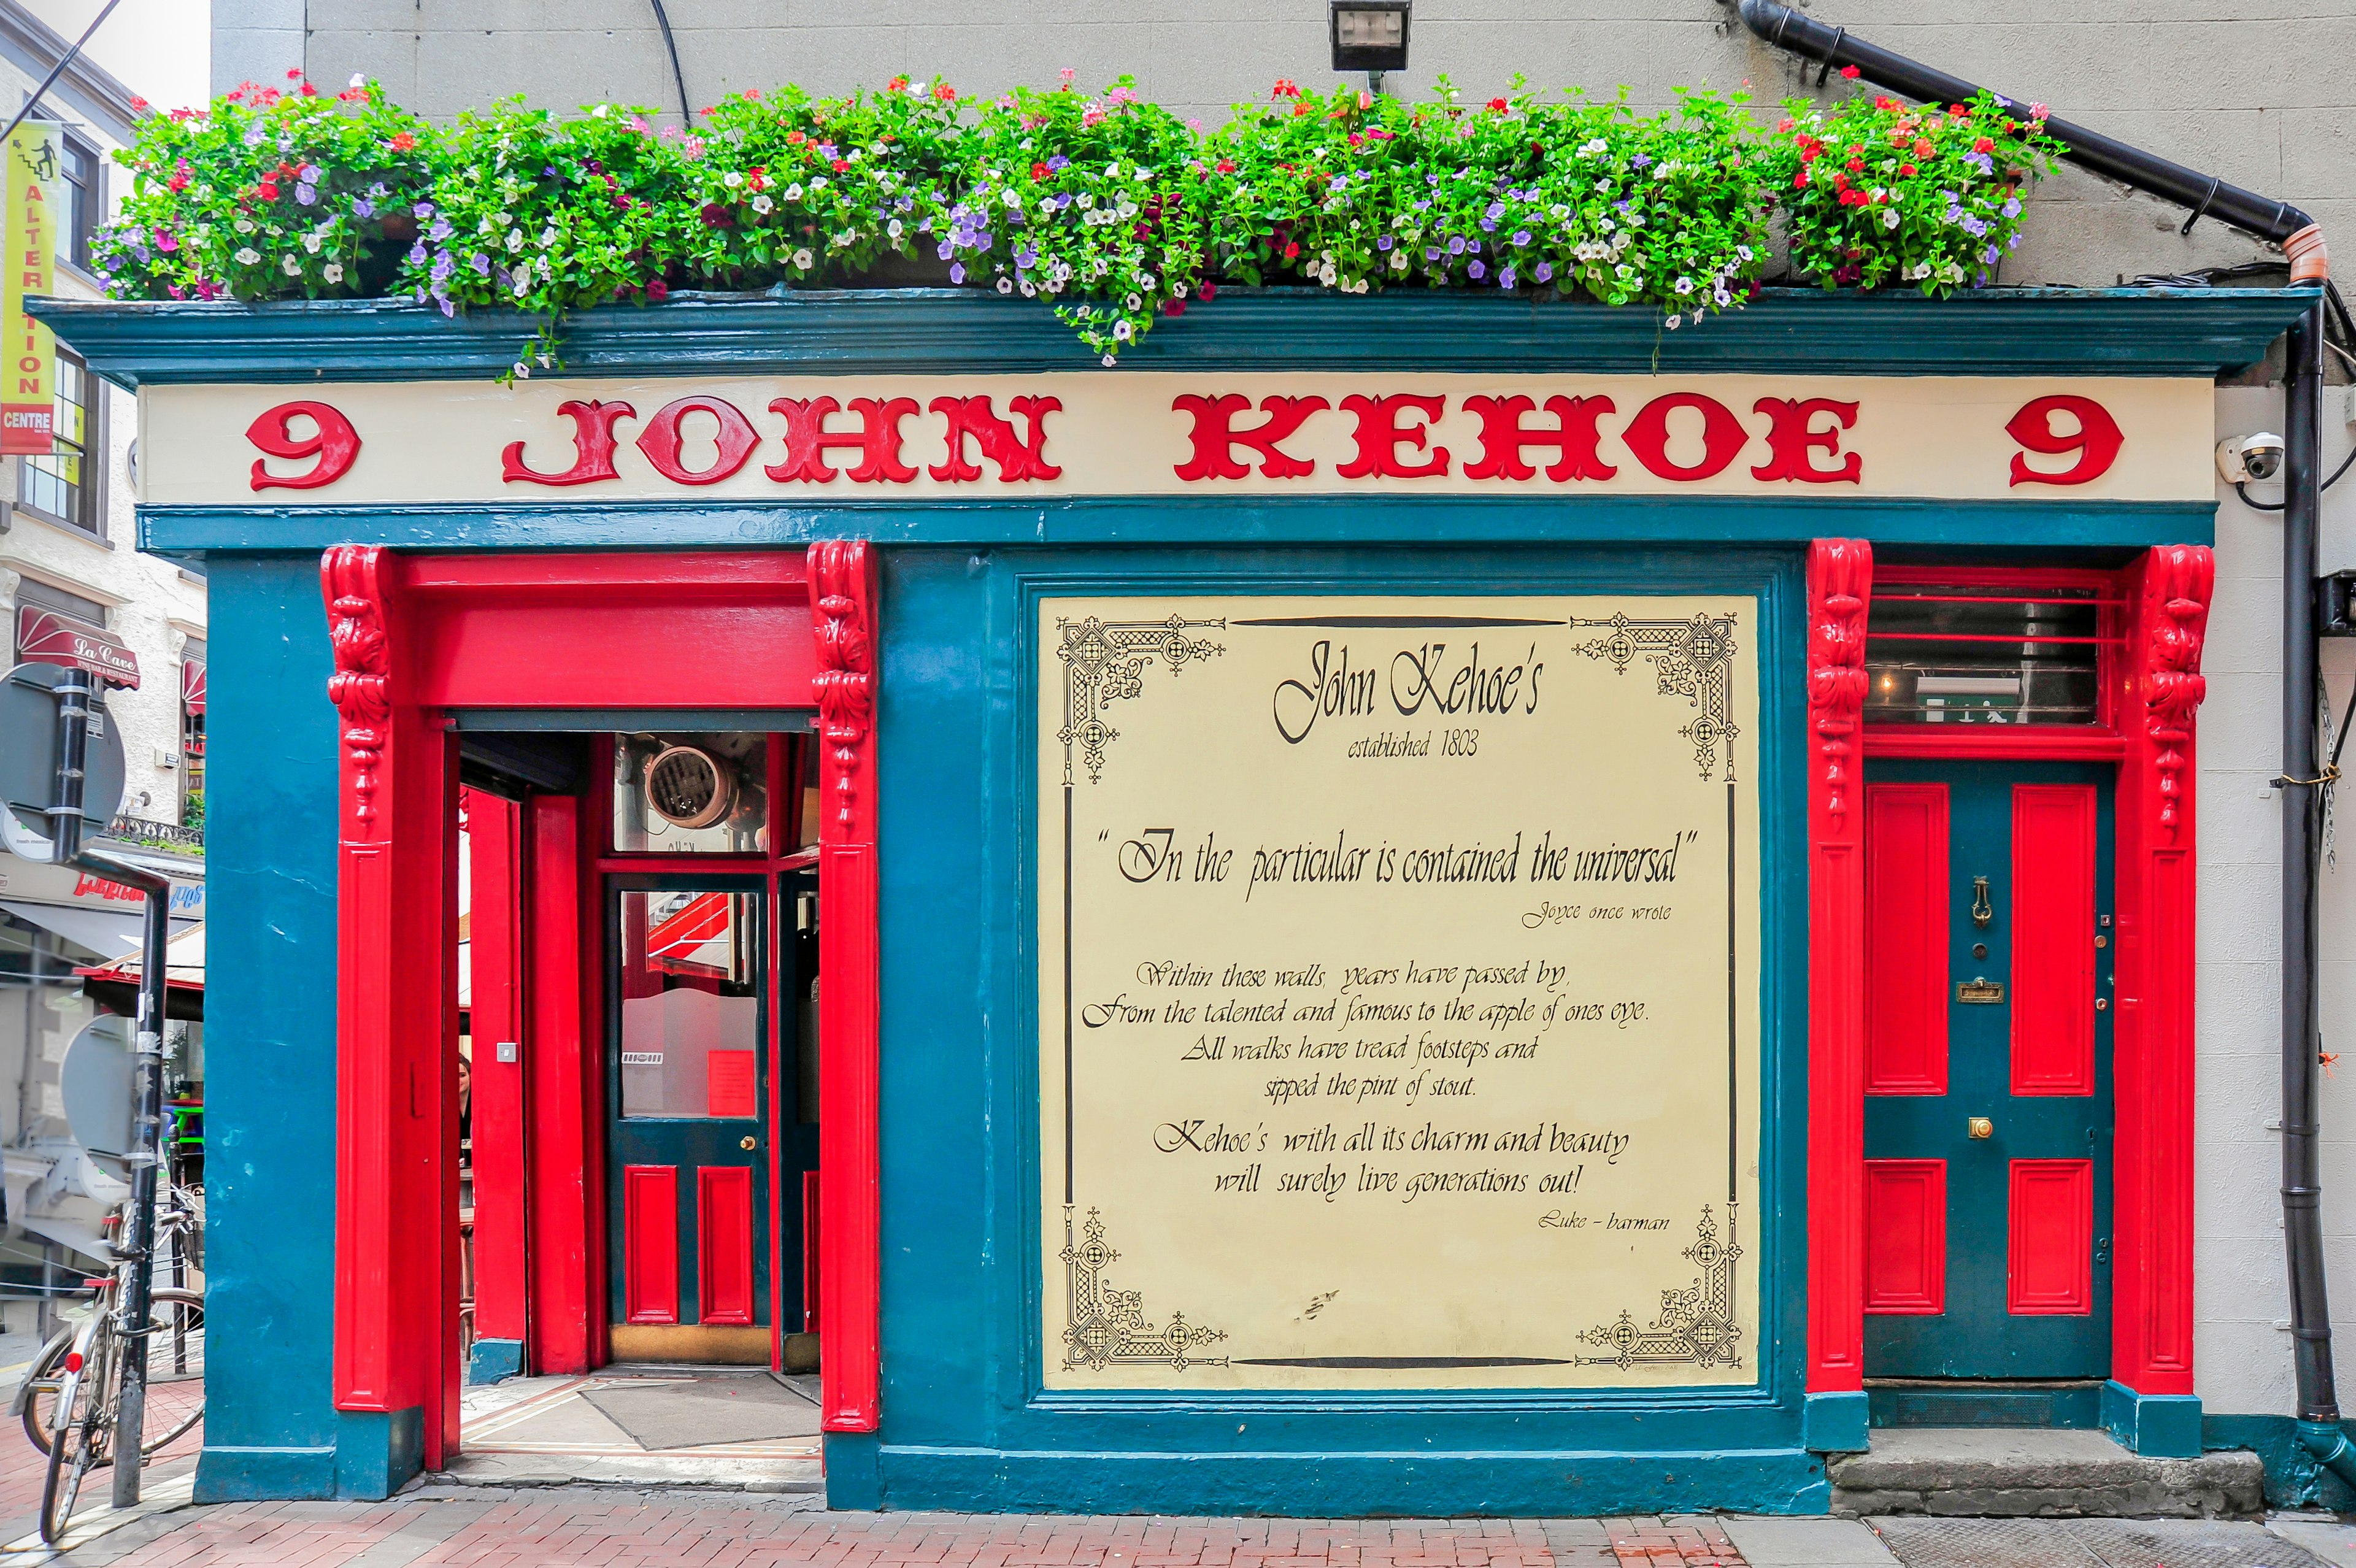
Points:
[(800, 441)]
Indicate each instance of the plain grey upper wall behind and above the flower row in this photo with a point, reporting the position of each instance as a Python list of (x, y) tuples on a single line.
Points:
[(2258, 93)]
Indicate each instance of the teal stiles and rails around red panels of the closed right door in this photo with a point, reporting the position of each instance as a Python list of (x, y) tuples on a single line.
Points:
[(1978, 1334)]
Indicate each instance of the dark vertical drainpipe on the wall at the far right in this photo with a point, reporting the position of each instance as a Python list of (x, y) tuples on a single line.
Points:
[(2303, 809)]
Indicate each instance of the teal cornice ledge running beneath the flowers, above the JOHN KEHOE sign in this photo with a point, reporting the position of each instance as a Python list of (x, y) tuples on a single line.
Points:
[(2138, 333)]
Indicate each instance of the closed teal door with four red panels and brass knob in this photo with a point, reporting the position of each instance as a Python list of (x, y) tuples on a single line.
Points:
[(1990, 943)]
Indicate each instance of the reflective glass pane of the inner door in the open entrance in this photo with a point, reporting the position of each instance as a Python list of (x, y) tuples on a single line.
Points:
[(691, 1011)]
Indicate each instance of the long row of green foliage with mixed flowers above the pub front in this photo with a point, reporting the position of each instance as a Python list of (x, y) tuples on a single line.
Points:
[(1108, 208)]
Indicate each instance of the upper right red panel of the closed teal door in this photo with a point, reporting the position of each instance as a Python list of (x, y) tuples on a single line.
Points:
[(2053, 938)]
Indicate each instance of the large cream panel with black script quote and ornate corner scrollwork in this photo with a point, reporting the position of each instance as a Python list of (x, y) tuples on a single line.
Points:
[(1398, 992)]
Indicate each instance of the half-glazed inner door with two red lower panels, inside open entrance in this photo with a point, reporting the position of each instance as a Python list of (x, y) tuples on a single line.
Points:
[(687, 1129)]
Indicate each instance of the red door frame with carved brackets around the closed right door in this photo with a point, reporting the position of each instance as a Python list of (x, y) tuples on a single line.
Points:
[(2152, 689)]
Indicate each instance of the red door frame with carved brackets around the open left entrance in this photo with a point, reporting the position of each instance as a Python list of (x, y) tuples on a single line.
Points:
[(696, 630)]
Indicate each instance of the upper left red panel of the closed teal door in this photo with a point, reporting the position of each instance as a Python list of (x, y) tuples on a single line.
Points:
[(1907, 879)]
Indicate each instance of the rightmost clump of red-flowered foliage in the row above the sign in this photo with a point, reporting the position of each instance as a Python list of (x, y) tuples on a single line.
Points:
[(1891, 194)]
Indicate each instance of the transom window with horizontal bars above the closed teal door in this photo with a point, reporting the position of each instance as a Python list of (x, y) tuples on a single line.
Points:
[(1985, 653)]
